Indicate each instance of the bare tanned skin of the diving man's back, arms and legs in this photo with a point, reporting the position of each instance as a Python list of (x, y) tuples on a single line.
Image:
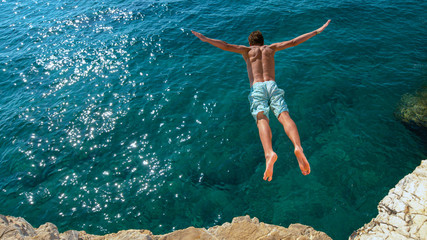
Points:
[(260, 66)]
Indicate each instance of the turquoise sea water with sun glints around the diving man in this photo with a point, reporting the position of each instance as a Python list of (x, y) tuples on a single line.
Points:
[(114, 116)]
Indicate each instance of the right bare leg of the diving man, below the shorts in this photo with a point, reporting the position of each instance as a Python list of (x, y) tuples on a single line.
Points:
[(292, 132)]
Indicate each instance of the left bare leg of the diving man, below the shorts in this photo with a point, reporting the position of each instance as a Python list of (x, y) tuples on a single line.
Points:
[(265, 135)]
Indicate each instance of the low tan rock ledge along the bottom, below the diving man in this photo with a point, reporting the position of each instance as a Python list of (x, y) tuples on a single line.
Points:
[(239, 228)]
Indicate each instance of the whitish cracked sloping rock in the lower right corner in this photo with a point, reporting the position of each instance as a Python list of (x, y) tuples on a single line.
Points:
[(402, 214)]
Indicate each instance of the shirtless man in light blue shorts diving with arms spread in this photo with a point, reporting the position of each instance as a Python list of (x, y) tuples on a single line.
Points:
[(265, 94)]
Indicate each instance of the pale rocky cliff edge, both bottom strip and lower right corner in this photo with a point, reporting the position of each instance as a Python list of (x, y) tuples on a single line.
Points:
[(402, 215)]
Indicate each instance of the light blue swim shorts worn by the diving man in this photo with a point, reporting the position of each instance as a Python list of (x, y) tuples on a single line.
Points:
[(265, 96)]
